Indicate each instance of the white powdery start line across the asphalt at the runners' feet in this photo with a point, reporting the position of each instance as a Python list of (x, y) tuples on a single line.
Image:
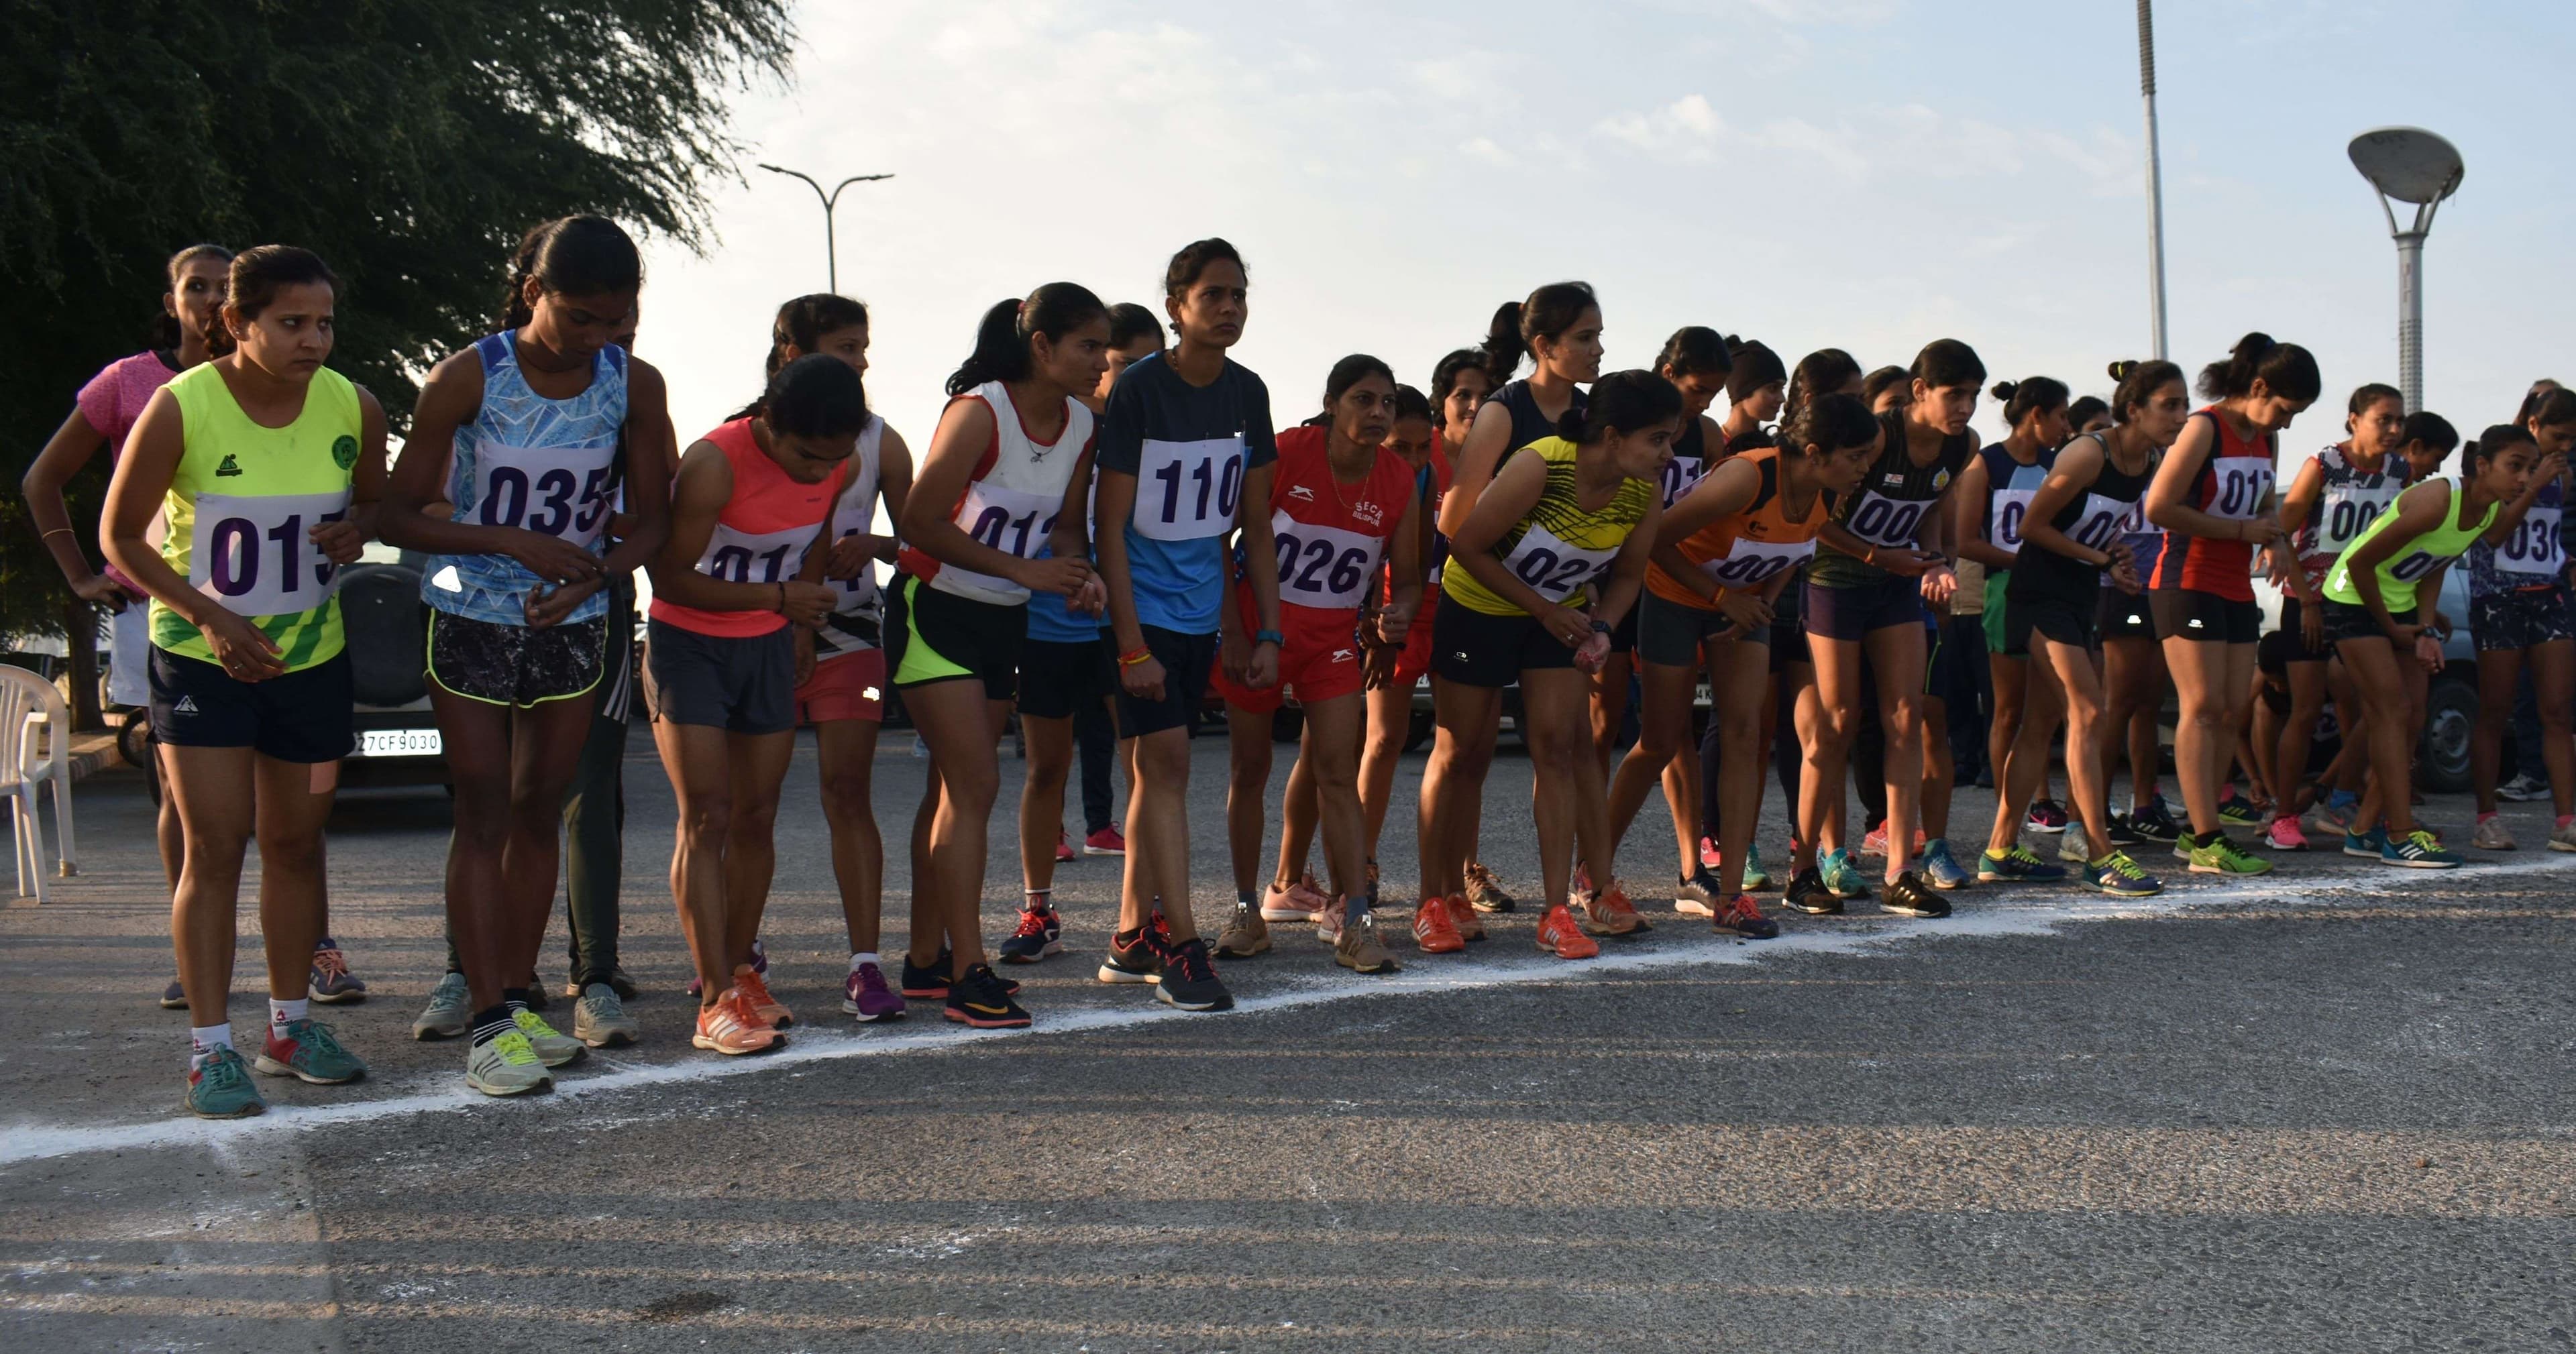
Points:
[(1421, 977)]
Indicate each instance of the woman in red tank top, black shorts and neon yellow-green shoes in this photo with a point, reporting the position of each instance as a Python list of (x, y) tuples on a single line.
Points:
[(2214, 498)]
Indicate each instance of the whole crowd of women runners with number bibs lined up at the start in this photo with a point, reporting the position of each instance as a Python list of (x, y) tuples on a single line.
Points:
[(1109, 526)]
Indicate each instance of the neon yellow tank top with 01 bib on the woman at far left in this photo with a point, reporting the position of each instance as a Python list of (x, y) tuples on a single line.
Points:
[(241, 508)]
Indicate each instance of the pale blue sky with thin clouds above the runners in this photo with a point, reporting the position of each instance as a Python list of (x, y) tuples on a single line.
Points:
[(1861, 174)]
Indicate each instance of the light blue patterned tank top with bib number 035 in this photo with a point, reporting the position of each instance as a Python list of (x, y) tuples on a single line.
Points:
[(537, 465)]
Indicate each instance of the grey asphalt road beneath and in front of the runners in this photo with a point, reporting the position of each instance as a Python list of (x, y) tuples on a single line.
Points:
[(2320, 1111)]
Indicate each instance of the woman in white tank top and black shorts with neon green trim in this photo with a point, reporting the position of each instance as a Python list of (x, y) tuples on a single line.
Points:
[(996, 516)]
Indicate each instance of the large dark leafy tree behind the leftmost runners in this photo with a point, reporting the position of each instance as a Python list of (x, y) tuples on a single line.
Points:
[(411, 143)]
